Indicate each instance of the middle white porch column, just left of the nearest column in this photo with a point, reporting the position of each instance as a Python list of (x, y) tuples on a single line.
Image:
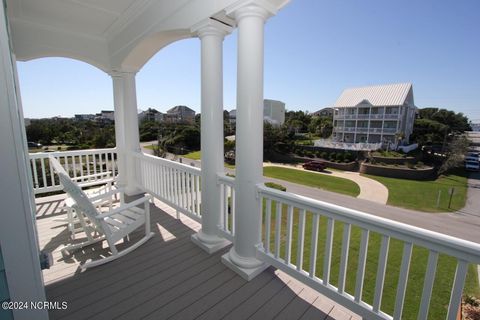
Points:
[(211, 34)]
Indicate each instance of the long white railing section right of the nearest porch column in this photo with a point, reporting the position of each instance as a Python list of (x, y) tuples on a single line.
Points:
[(289, 247)]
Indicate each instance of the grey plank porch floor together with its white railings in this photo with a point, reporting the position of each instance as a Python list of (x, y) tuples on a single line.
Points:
[(320, 254)]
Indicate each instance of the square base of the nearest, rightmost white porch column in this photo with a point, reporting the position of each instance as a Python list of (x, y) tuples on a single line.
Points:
[(231, 259)]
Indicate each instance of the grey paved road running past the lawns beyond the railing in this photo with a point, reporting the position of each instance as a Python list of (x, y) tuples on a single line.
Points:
[(464, 224)]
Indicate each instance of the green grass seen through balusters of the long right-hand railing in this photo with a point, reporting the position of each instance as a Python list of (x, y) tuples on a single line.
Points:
[(443, 279)]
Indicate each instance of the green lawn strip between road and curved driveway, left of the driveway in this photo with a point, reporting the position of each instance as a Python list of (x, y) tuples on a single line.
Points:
[(321, 181)]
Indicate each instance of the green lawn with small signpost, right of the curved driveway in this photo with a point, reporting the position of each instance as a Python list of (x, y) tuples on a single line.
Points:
[(422, 195)]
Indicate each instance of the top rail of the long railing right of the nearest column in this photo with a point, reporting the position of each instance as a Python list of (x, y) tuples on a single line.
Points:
[(459, 248)]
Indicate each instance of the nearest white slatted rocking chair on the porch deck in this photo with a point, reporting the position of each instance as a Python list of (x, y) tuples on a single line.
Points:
[(111, 226)]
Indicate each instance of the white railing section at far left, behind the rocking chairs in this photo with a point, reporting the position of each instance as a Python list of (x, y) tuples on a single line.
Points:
[(92, 166)]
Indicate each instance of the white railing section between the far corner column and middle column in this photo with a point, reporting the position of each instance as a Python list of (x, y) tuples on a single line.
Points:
[(175, 184)]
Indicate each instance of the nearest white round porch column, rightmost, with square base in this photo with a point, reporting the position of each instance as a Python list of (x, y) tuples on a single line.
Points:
[(249, 141)]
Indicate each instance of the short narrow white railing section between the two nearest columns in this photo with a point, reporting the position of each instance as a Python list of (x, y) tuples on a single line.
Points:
[(227, 229)]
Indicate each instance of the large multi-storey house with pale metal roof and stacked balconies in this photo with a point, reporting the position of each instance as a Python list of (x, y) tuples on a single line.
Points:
[(374, 114)]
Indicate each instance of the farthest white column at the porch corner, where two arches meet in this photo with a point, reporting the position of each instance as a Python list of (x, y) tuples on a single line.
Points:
[(126, 128)]
